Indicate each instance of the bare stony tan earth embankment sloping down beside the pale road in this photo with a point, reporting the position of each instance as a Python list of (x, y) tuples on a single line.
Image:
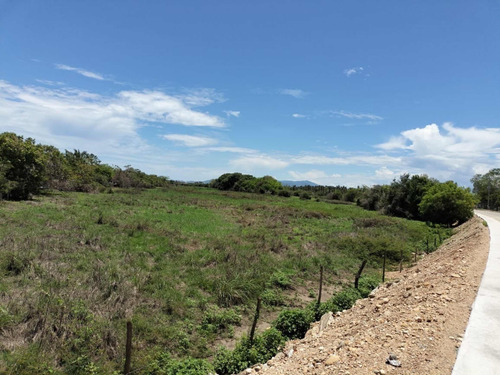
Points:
[(420, 317)]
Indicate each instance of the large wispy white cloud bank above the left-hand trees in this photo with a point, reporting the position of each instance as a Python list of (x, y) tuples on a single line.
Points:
[(105, 125)]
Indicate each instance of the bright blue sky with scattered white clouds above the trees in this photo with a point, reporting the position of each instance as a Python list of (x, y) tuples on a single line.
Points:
[(336, 92)]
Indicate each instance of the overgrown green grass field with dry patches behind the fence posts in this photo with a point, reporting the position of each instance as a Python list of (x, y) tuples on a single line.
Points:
[(184, 264)]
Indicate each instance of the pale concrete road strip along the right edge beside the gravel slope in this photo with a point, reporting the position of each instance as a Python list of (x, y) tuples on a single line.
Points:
[(480, 349)]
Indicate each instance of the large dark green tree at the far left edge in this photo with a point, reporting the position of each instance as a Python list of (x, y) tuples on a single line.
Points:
[(22, 171)]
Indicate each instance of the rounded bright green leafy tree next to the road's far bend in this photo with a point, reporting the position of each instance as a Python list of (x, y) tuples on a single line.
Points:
[(447, 203)]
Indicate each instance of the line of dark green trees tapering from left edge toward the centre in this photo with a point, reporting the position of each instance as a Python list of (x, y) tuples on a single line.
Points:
[(27, 168)]
